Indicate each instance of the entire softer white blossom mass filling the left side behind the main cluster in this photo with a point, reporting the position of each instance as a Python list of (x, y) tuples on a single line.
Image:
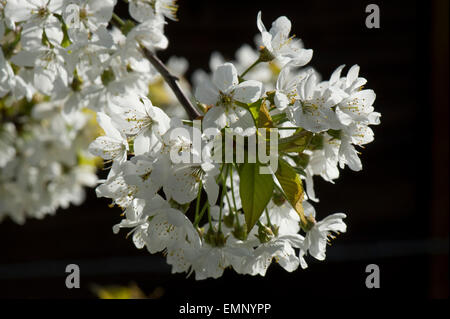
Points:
[(57, 59)]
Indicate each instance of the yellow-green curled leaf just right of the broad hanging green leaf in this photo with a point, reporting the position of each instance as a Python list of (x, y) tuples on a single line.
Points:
[(291, 184)]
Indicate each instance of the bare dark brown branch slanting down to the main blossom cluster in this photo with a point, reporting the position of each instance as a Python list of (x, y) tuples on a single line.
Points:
[(172, 81)]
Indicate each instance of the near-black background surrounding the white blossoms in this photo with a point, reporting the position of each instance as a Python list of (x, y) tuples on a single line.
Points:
[(397, 206)]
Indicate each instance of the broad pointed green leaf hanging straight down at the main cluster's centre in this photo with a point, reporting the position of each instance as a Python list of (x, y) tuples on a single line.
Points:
[(256, 190)]
